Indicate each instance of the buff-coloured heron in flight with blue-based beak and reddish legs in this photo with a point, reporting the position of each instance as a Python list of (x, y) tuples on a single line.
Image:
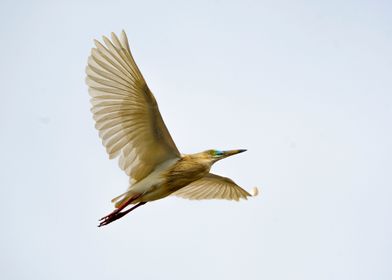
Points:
[(131, 127)]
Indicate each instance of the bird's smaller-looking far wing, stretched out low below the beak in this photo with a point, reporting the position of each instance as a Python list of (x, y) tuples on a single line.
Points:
[(212, 186)]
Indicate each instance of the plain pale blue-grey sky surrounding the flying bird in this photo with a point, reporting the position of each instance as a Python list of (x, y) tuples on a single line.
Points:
[(305, 86)]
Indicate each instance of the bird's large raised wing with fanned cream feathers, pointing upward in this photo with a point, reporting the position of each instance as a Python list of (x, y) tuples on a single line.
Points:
[(125, 111)]
